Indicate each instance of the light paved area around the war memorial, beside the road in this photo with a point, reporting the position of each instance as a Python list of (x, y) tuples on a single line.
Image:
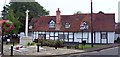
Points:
[(51, 51)]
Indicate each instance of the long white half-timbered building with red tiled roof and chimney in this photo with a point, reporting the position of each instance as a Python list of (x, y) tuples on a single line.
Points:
[(74, 28)]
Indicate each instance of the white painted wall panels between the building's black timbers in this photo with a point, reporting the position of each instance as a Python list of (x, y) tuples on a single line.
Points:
[(111, 36)]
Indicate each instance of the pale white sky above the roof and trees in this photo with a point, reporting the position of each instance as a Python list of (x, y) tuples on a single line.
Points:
[(69, 7)]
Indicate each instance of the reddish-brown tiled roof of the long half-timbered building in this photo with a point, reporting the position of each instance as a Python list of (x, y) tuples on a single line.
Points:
[(101, 22)]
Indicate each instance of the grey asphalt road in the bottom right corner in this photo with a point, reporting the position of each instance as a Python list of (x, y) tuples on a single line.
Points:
[(111, 52)]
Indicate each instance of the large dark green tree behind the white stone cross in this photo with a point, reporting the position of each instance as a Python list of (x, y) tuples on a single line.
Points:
[(19, 8)]
